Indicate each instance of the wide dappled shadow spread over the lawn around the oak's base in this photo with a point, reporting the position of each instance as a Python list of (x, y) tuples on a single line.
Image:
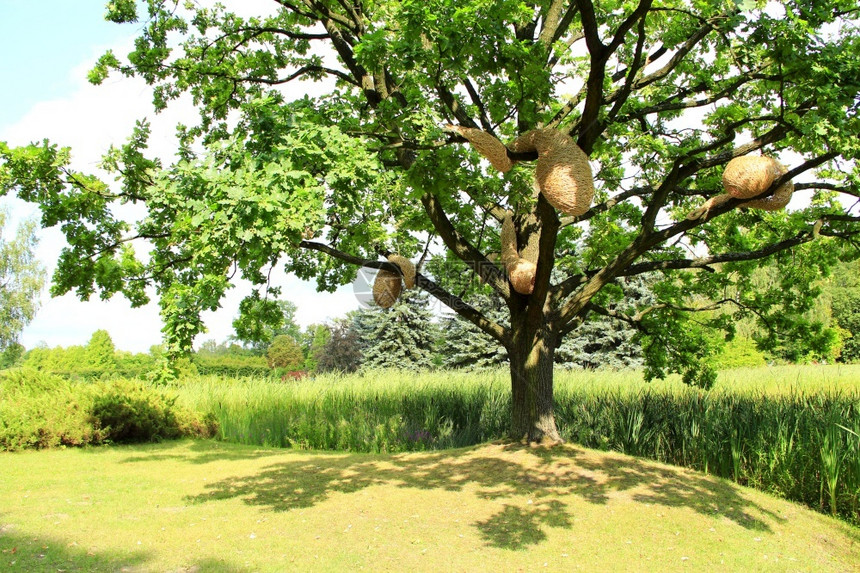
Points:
[(547, 477)]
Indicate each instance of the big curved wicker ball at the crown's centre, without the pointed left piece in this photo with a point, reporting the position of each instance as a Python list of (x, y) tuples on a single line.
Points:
[(562, 173)]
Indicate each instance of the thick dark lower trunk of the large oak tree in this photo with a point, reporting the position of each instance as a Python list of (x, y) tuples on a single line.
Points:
[(531, 361)]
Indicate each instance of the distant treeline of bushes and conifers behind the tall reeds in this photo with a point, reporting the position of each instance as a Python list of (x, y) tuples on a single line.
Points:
[(410, 336)]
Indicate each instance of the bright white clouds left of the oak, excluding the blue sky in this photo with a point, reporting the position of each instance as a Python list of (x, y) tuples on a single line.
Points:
[(89, 120)]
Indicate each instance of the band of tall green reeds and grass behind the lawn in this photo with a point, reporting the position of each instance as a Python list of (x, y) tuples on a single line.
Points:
[(791, 431)]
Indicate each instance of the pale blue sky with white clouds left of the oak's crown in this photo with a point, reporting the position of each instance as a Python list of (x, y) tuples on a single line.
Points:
[(46, 49)]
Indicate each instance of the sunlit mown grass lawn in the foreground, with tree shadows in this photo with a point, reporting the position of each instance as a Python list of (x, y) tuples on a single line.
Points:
[(211, 506)]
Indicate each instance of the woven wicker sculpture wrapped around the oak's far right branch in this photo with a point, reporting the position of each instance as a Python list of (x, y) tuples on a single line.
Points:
[(748, 176)]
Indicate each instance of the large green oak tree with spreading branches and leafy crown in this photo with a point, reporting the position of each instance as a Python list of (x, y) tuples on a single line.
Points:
[(659, 94)]
